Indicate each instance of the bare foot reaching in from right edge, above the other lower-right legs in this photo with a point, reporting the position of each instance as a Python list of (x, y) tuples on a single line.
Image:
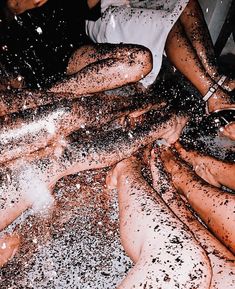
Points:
[(213, 171)]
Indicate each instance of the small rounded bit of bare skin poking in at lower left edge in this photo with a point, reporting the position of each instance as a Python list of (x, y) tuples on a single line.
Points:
[(9, 244)]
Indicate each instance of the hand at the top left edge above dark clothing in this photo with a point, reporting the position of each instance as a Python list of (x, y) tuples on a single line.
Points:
[(20, 6)]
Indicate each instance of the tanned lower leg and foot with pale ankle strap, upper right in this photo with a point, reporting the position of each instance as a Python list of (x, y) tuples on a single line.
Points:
[(182, 54)]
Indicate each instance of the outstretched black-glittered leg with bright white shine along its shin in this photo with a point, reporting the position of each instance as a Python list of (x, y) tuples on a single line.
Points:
[(33, 129)]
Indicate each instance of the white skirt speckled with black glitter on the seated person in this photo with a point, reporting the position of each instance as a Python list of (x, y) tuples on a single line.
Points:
[(146, 22)]
